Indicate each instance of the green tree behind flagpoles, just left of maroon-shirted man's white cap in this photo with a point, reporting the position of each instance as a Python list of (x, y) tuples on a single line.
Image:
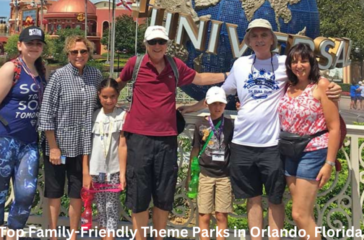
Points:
[(125, 34)]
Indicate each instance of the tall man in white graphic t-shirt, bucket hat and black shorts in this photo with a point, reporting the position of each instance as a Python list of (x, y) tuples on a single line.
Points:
[(259, 81)]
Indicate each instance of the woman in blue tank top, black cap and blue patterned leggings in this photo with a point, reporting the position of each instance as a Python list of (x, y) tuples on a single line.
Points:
[(21, 90)]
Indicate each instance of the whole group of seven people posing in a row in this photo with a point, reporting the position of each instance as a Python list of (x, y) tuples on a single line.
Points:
[(136, 149)]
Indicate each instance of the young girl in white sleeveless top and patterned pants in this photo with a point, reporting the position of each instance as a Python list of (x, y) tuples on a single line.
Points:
[(107, 163)]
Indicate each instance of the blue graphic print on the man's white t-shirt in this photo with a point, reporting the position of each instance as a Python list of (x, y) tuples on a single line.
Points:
[(261, 84)]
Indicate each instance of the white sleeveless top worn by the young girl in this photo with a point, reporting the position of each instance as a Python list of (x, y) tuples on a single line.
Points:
[(103, 125)]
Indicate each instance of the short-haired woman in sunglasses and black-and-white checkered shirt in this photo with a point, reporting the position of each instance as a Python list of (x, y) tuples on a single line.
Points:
[(66, 114)]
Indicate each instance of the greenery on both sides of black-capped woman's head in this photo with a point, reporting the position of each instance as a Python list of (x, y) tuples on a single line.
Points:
[(11, 47)]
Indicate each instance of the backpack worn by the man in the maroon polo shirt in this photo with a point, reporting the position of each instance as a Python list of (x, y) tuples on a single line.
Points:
[(181, 123)]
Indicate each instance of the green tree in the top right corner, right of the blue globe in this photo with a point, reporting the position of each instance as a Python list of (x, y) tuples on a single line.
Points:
[(343, 20)]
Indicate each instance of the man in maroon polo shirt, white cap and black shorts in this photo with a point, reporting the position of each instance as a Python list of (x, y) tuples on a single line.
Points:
[(151, 130)]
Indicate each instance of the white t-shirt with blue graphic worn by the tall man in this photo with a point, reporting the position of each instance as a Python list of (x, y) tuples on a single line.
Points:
[(259, 88)]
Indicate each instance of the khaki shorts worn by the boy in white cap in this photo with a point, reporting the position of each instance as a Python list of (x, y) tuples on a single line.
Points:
[(214, 194)]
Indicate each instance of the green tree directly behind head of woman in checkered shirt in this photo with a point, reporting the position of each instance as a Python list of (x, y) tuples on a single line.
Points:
[(59, 55)]
